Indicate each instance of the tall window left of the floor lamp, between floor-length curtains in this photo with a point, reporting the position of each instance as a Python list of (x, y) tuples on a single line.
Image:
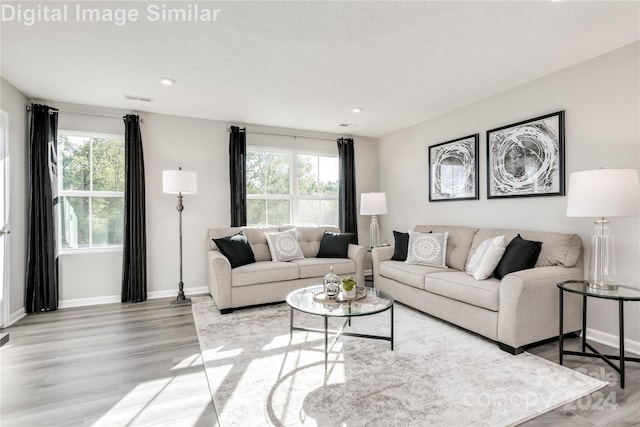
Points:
[(90, 190)]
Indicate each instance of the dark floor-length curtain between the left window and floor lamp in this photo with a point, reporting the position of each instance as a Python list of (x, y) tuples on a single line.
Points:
[(134, 250)]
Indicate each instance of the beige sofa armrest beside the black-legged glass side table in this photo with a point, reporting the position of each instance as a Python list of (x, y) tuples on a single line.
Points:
[(529, 305)]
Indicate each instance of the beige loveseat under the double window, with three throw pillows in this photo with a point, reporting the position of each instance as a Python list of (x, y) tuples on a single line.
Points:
[(266, 281)]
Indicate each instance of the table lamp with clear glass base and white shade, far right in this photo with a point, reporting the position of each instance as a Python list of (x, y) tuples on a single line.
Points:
[(603, 193)]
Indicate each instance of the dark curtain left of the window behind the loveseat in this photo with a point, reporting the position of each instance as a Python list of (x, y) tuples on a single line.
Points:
[(238, 175)]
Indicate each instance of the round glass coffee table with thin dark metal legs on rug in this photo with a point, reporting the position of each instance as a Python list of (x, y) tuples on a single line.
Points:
[(305, 300)]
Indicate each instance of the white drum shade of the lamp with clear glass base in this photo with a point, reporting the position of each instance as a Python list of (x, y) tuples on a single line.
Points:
[(604, 193)]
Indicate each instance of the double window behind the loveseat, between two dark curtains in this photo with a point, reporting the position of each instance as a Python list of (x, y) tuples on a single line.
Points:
[(273, 198)]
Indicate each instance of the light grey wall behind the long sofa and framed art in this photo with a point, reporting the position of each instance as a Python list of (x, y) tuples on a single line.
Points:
[(601, 100)]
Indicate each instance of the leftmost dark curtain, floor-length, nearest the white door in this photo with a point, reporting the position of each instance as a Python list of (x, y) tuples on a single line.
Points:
[(41, 290)]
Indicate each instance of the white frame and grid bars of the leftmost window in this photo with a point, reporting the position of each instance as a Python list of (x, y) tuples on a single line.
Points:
[(90, 194)]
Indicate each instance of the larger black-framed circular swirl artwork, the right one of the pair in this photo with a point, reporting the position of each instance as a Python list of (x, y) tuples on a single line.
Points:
[(527, 158)]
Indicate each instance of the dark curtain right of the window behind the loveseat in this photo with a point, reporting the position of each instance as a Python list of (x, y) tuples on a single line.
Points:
[(348, 213)]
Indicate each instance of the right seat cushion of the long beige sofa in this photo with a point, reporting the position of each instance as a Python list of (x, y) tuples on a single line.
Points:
[(459, 286)]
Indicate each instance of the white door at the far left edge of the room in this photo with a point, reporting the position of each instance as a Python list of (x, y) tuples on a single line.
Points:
[(4, 218)]
